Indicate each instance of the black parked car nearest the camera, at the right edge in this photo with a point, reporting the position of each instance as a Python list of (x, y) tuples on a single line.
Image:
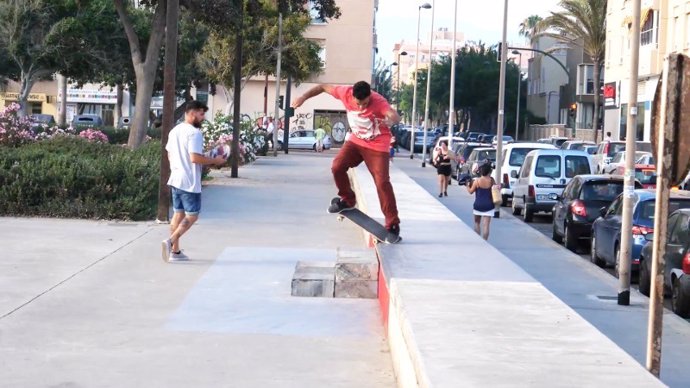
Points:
[(677, 257)]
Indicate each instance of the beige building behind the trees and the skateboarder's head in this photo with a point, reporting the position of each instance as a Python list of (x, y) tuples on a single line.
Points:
[(348, 47)]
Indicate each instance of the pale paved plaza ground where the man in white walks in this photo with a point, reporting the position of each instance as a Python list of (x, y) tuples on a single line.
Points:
[(91, 304)]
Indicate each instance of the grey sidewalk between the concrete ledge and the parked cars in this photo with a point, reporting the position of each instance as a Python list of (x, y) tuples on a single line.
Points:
[(586, 288)]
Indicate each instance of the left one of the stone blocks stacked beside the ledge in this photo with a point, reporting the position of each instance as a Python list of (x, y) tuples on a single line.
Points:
[(313, 278)]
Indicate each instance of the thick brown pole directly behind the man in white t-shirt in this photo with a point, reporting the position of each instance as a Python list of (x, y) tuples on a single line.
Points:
[(170, 67)]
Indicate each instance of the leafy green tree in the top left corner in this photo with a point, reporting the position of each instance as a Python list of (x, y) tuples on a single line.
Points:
[(32, 40)]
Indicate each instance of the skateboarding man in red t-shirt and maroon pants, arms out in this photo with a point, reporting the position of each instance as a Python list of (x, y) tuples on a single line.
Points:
[(370, 117)]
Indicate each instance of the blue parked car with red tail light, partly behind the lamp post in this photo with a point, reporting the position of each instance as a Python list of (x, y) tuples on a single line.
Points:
[(606, 229)]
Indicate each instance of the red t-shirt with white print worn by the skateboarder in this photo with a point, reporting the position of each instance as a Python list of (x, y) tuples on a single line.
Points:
[(368, 128)]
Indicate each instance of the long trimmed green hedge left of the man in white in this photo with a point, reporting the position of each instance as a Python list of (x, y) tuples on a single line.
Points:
[(71, 177)]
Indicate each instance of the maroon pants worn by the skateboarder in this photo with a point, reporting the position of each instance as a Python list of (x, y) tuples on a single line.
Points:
[(351, 155)]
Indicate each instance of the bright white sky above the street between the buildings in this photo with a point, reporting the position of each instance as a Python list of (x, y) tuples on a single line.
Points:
[(396, 20)]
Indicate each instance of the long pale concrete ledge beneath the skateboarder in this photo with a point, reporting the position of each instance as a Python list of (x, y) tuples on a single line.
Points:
[(460, 313)]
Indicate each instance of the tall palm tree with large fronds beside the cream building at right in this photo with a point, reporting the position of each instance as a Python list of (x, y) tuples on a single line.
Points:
[(581, 23)]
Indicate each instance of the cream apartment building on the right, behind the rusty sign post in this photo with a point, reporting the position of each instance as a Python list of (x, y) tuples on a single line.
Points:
[(664, 28)]
